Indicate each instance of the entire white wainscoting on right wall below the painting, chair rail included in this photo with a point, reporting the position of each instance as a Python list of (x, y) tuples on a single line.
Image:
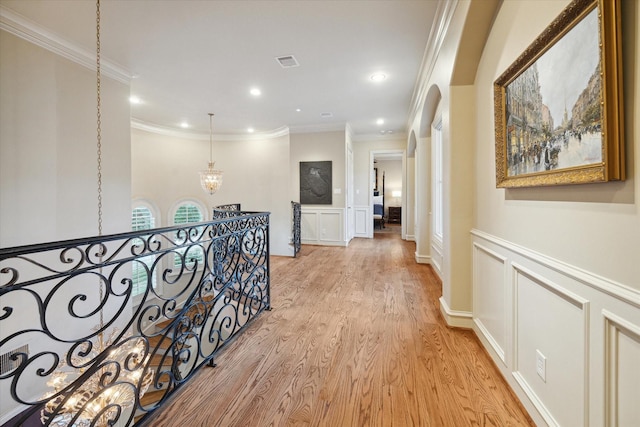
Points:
[(530, 308)]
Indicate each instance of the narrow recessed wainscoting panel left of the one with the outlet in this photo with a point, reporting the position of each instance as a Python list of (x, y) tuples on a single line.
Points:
[(489, 272)]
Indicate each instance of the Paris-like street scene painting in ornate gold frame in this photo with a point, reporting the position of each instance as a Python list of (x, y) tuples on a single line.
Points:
[(558, 107)]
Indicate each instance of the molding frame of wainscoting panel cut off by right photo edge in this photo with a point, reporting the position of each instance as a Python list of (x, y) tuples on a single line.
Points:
[(614, 325)]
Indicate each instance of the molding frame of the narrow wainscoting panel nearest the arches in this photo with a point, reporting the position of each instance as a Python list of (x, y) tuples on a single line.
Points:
[(499, 350)]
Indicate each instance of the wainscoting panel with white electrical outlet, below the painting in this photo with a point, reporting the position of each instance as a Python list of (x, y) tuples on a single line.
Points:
[(556, 331)]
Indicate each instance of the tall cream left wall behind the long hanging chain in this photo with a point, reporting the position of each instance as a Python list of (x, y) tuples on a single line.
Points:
[(48, 163)]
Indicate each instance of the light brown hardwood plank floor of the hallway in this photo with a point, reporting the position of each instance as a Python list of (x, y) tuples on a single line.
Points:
[(355, 338)]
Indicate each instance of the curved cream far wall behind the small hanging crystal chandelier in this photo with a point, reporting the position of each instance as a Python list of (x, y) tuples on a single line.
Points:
[(165, 171)]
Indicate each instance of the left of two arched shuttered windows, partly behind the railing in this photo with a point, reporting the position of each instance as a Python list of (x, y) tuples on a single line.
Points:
[(142, 218)]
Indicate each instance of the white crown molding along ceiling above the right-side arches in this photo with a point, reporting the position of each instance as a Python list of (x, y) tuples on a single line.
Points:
[(444, 14)]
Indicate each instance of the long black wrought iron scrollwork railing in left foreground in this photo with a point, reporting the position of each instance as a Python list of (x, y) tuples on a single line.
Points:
[(79, 348)]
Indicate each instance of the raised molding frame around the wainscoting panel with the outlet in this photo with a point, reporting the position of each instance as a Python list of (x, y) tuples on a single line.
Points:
[(571, 298)]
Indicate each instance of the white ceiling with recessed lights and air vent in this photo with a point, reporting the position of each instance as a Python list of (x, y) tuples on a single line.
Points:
[(188, 58)]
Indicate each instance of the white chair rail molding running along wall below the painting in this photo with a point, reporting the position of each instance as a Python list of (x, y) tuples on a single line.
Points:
[(602, 284)]
